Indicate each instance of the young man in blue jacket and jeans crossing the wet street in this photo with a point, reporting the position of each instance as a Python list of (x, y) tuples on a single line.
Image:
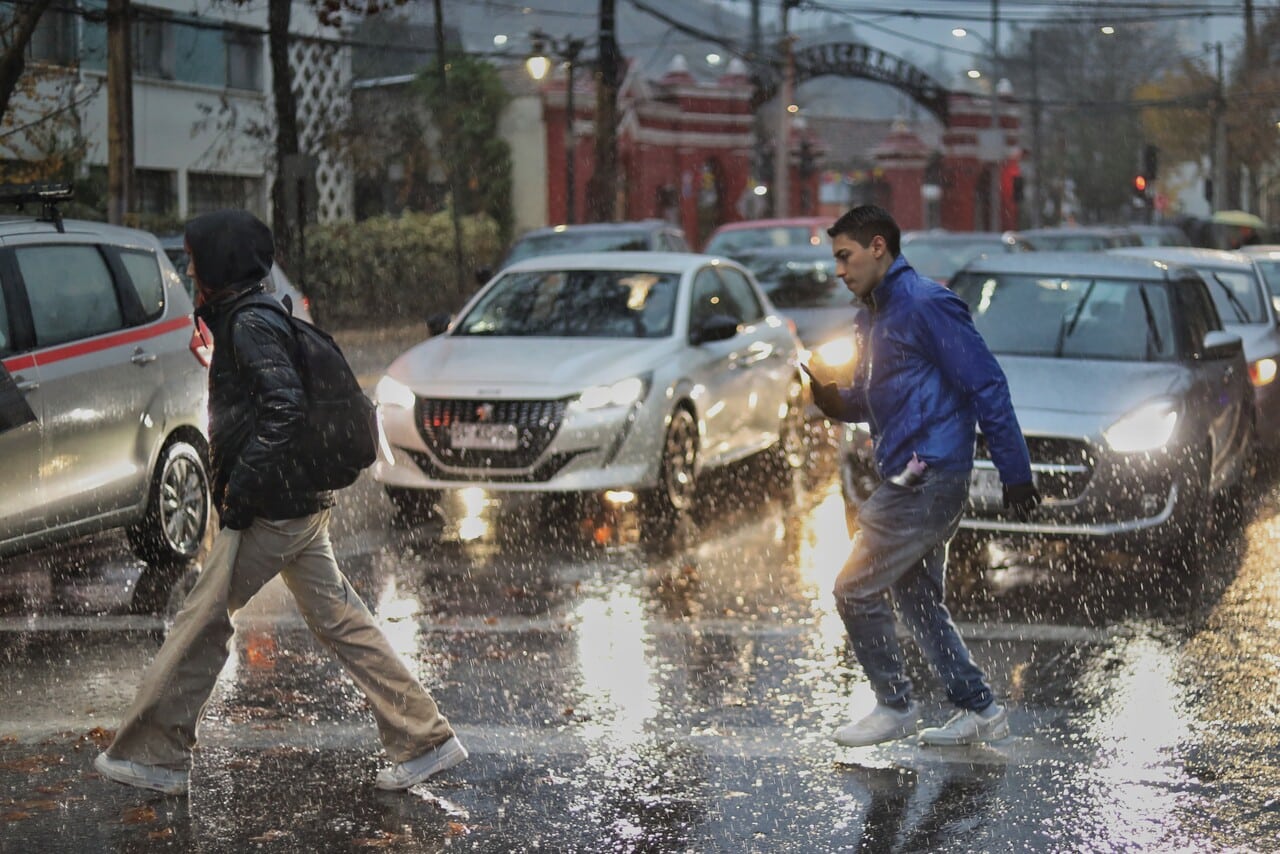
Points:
[(925, 380)]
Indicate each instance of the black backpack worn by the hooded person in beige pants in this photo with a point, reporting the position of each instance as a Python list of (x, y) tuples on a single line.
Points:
[(341, 439)]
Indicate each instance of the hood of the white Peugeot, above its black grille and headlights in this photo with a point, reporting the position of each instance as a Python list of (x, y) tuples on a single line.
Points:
[(524, 368)]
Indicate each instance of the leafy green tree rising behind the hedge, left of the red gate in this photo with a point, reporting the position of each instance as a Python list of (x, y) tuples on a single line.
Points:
[(477, 152)]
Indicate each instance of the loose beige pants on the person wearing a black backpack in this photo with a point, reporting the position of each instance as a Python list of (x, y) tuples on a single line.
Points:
[(161, 727)]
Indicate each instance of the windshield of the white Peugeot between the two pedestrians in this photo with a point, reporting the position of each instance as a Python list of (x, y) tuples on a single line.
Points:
[(577, 304)]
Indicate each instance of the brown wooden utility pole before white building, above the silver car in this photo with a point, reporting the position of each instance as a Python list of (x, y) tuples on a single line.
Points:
[(120, 108)]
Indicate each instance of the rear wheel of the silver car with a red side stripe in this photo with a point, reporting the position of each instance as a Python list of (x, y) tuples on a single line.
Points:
[(172, 531)]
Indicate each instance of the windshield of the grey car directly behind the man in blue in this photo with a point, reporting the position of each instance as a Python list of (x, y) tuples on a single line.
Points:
[(1069, 318)]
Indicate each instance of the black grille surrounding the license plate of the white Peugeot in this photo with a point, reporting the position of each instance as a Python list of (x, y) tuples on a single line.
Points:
[(537, 424)]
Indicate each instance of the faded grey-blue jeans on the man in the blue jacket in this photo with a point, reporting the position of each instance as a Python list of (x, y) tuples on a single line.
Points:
[(900, 559)]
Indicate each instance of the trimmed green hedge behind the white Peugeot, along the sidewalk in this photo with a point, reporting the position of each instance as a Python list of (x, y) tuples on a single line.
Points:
[(392, 270)]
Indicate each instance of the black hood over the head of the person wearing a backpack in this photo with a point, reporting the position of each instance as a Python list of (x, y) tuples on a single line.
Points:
[(231, 249)]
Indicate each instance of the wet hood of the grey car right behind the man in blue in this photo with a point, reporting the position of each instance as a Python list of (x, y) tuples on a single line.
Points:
[(1084, 398)]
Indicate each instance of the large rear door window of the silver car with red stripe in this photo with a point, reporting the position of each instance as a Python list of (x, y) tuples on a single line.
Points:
[(71, 293)]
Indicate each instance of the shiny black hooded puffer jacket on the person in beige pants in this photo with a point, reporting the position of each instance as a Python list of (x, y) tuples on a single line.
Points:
[(257, 399)]
